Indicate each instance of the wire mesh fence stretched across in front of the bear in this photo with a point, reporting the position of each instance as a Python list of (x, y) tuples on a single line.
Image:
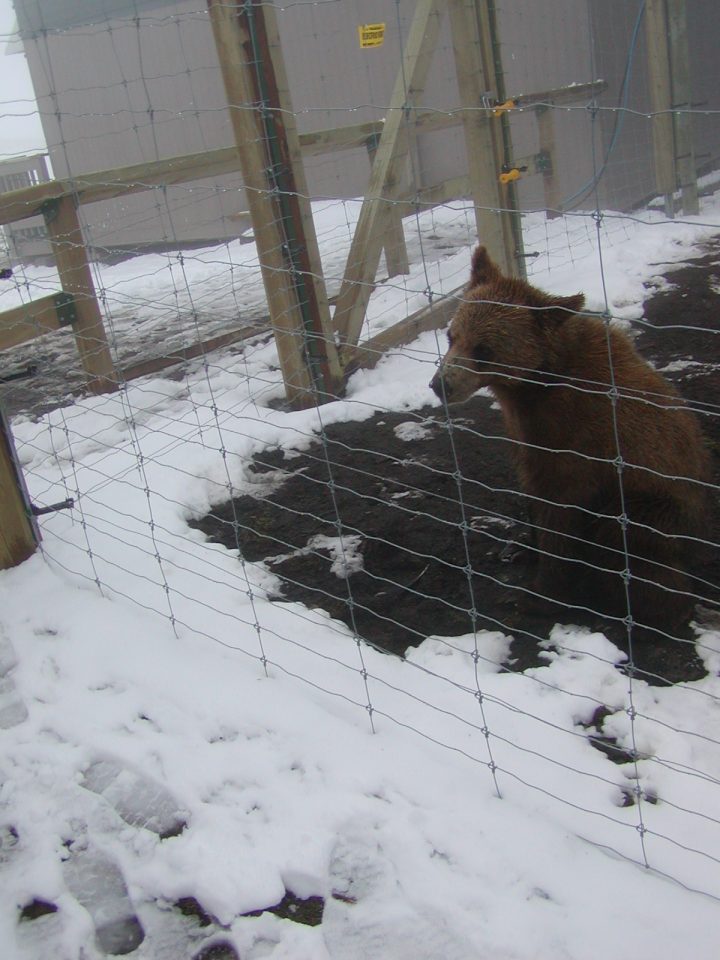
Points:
[(543, 557)]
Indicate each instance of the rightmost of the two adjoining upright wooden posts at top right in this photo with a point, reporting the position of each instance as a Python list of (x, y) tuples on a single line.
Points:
[(681, 97)]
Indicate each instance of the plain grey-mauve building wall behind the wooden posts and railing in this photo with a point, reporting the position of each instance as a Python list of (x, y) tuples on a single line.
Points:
[(131, 81)]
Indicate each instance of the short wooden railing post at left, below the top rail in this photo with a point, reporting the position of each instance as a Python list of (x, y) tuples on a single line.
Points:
[(68, 245)]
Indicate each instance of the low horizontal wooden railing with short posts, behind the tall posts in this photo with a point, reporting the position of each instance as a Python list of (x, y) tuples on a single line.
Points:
[(76, 305)]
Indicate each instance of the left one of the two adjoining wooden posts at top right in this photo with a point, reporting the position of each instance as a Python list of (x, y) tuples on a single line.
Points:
[(658, 66)]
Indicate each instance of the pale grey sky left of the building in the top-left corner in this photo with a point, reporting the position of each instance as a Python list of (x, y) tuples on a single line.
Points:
[(20, 129)]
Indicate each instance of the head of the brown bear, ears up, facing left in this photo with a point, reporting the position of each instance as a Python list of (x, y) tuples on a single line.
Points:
[(501, 335)]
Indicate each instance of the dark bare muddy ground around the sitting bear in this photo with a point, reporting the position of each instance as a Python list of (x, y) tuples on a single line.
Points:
[(431, 553)]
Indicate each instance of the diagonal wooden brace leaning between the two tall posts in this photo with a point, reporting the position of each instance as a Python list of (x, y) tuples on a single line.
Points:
[(366, 245)]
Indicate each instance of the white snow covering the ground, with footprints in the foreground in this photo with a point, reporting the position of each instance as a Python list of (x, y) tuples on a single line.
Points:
[(444, 807)]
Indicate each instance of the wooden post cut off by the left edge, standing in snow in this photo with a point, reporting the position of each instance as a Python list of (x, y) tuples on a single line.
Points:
[(19, 535)]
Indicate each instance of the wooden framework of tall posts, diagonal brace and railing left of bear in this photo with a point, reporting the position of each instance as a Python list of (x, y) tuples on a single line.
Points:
[(316, 353)]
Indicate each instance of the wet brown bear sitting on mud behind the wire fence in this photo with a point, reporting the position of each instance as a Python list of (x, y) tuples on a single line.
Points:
[(611, 462)]
